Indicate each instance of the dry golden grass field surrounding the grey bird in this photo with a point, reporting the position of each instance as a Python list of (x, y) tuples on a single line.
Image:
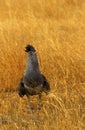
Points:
[(57, 30)]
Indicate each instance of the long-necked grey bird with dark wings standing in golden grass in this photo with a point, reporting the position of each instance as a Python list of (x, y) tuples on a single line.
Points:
[(33, 81)]
